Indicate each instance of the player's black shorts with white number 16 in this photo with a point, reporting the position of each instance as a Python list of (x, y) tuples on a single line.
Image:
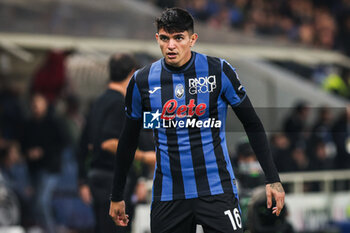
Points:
[(218, 213)]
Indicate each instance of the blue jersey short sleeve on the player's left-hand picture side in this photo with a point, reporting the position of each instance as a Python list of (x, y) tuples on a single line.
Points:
[(133, 105)]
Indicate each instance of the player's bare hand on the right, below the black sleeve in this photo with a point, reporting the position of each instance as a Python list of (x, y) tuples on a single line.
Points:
[(276, 191)]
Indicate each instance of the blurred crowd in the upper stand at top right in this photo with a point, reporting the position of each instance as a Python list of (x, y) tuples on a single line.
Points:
[(321, 24)]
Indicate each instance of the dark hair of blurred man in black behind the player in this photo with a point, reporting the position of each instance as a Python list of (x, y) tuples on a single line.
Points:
[(120, 65)]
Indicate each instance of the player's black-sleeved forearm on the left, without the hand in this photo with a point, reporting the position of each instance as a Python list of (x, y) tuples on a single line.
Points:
[(125, 155)]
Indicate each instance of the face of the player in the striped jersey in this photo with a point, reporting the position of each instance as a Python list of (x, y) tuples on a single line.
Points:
[(176, 47)]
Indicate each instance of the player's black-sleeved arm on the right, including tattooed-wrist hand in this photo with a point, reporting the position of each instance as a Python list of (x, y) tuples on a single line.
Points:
[(258, 140)]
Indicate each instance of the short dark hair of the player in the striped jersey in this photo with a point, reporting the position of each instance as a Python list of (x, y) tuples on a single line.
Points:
[(175, 20)]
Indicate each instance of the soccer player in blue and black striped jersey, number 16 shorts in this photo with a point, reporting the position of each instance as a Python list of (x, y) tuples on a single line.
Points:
[(187, 94)]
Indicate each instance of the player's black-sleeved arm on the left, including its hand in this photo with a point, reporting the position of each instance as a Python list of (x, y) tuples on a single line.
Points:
[(125, 155)]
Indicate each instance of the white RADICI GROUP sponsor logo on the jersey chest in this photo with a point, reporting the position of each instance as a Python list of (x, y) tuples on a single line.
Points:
[(202, 84)]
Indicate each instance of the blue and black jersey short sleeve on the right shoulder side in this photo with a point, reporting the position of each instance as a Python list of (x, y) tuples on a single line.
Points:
[(232, 89)]
